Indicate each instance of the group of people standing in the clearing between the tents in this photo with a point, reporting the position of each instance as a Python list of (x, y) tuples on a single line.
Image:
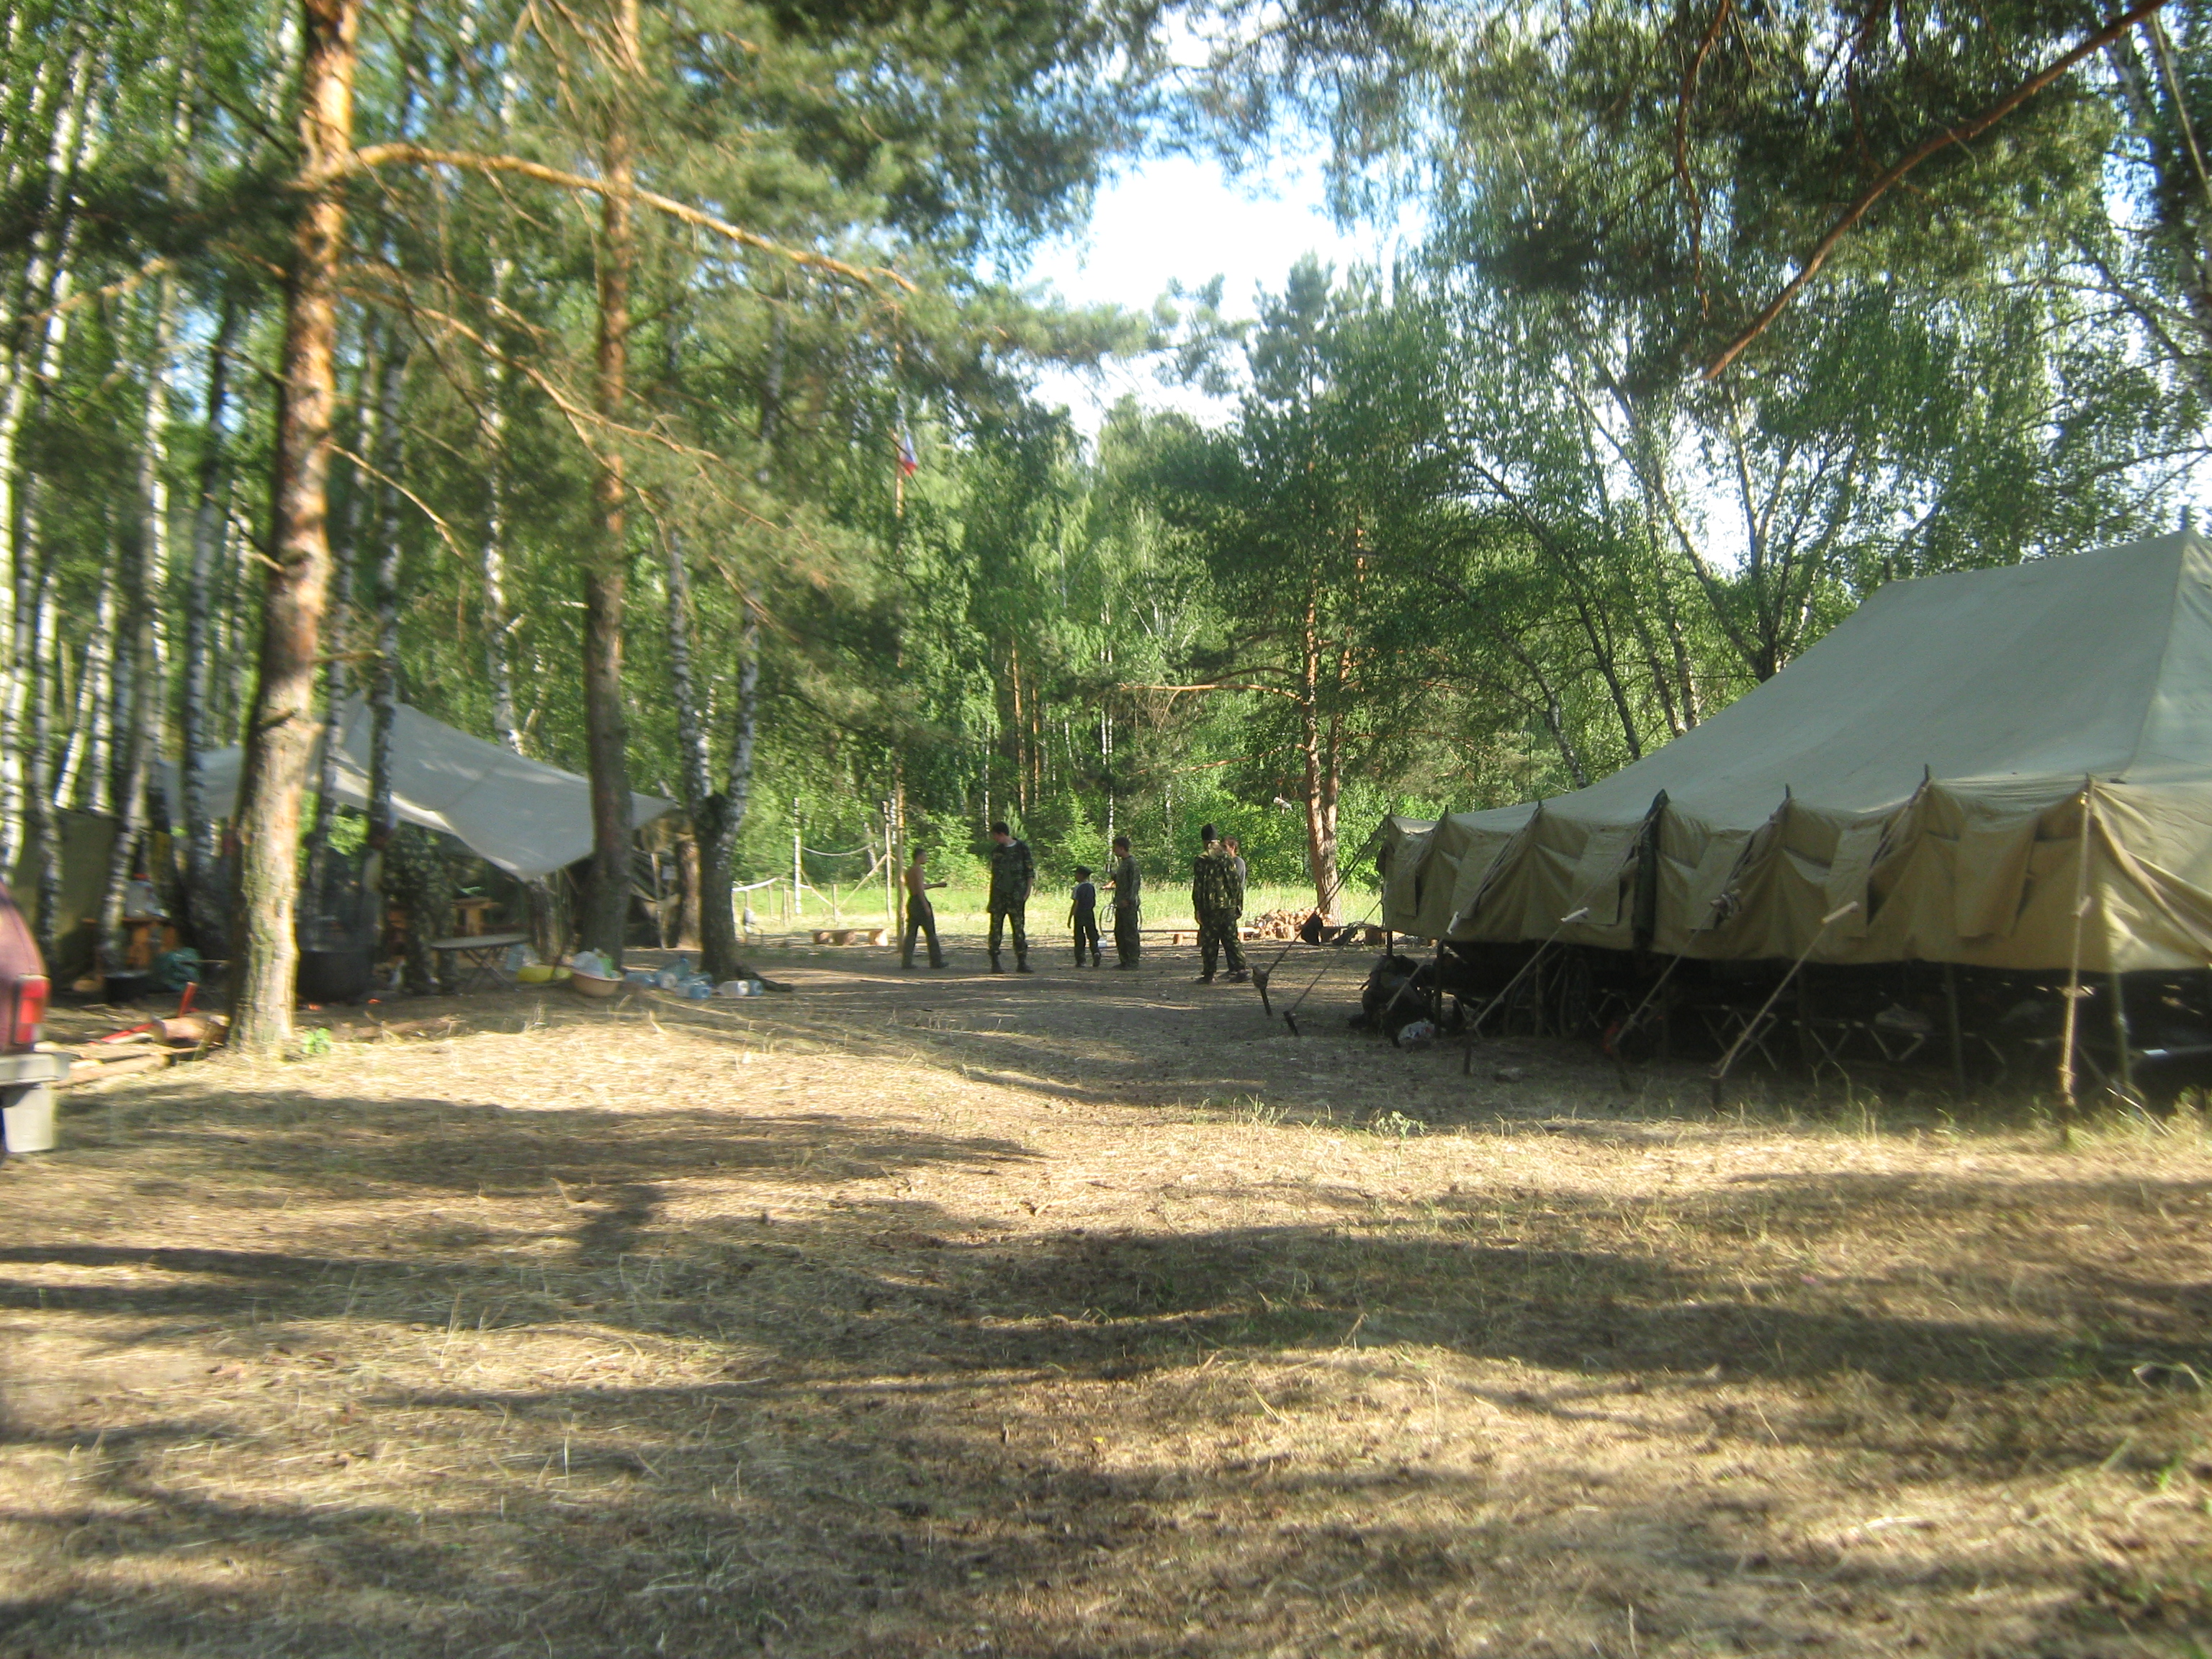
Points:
[(1218, 888)]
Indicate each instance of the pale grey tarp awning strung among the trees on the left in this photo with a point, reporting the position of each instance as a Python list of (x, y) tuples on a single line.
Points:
[(521, 815)]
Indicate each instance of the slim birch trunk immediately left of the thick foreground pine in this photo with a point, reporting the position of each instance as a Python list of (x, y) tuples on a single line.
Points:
[(207, 906)]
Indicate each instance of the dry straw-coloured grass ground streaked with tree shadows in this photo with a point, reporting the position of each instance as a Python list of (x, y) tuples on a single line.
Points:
[(1081, 1315)]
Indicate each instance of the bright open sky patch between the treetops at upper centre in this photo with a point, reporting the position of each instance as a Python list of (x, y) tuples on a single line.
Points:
[(1185, 220)]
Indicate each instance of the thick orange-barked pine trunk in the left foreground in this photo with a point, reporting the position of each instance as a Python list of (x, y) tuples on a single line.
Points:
[(282, 731)]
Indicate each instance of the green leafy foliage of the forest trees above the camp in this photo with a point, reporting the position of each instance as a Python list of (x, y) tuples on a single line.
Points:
[(1474, 532)]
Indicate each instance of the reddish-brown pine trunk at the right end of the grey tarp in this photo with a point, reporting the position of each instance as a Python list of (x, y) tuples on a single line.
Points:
[(607, 895)]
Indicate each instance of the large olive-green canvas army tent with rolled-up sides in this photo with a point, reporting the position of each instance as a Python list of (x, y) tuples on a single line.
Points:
[(1928, 771)]
